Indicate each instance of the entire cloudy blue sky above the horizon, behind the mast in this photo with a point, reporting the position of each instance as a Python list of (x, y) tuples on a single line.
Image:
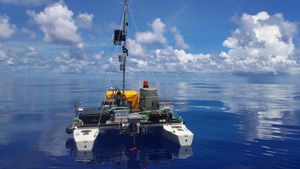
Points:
[(184, 36)]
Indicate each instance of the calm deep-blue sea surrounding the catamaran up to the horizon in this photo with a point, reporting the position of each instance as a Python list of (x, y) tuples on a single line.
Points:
[(238, 122)]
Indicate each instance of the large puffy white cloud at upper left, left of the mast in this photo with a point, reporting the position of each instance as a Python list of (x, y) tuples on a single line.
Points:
[(57, 24)]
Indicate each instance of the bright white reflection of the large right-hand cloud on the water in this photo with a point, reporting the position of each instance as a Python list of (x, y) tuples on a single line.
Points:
[(264, 109)]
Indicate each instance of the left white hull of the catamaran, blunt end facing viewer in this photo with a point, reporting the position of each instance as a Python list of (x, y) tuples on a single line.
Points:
[(85, 138)]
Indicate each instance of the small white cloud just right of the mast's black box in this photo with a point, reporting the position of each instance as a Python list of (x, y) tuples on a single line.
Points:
[(154, 36)]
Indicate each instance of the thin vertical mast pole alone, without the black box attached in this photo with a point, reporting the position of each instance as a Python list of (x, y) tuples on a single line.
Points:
[(125, 51)]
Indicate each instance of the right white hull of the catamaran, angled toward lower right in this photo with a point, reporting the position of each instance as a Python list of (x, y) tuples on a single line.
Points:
[(178, 133)]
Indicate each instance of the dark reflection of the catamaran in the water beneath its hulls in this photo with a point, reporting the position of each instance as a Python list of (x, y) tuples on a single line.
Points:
[(131, 152)]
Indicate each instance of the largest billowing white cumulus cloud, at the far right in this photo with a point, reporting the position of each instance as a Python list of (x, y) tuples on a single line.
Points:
[(262, 43)]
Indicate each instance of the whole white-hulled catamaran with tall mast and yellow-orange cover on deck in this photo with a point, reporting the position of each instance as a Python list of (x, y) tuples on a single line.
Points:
[(128, 112)]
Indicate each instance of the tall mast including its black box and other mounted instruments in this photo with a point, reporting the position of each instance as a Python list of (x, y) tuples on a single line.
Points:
[(120, 39)]
